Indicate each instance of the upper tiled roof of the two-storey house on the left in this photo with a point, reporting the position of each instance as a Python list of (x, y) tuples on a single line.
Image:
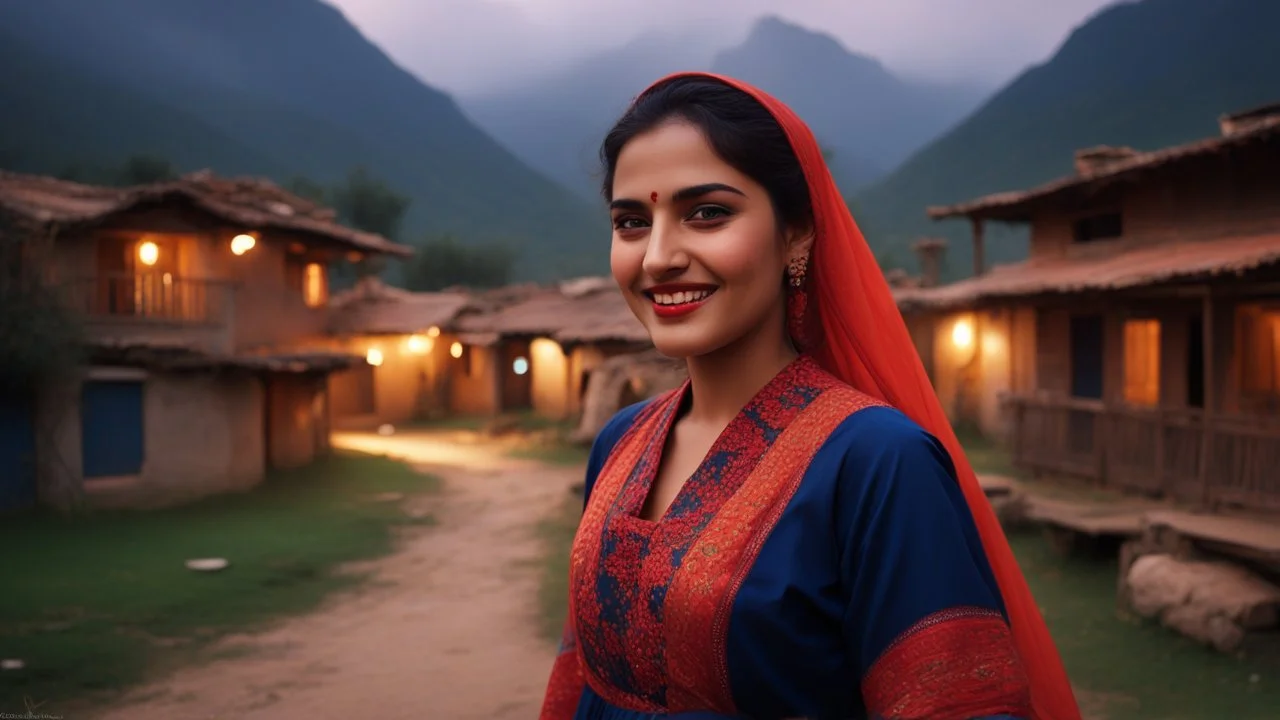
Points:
[(253, 203)]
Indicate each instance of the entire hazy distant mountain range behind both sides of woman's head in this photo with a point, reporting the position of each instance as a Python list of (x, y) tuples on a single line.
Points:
[(866, 116)]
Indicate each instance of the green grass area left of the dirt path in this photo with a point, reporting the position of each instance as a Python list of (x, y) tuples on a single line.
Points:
[(92, 603)]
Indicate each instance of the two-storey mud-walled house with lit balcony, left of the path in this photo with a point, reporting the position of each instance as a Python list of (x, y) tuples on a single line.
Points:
[(200, 302)]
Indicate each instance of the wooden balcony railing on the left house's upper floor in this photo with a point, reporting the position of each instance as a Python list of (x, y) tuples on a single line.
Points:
[(163, 298)]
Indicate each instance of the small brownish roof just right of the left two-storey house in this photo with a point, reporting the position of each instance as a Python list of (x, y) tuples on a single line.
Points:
[(374, 308)]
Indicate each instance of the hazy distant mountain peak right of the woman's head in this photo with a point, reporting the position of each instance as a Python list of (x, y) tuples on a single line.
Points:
[(867, 117)]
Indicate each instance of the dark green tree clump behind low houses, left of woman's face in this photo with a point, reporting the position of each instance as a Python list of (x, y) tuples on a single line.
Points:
[(444, 262)]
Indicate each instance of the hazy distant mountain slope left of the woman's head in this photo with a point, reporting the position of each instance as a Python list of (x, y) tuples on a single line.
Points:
[(556, 125)]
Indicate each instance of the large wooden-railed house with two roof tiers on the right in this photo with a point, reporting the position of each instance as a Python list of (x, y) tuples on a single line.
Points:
[(1140, 343)]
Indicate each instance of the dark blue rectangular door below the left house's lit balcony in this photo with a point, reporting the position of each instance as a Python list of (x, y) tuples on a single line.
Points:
[(112, 429)]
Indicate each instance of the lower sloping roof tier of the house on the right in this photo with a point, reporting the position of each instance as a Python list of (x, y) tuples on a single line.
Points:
[(1133, 268)]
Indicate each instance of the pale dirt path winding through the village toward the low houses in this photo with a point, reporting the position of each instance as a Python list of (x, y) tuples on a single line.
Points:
[(447, 631)]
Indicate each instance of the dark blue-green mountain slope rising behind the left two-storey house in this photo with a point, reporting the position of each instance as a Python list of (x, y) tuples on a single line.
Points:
[(281, 89)]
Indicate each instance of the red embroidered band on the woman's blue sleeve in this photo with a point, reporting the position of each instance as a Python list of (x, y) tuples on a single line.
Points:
[(953, 666)]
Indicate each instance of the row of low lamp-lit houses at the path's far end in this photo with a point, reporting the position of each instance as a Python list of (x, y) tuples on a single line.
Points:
[(511, 350)]
